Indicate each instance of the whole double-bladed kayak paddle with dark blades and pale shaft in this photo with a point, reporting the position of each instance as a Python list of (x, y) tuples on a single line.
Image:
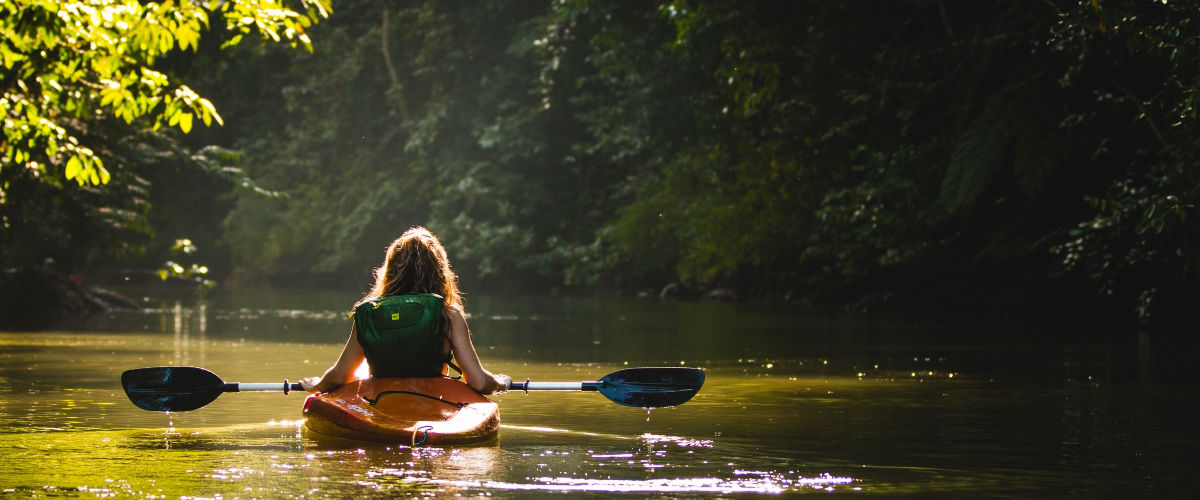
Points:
[(185, 389)]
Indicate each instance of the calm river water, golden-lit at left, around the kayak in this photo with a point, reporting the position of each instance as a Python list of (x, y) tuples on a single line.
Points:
[(794, 403)]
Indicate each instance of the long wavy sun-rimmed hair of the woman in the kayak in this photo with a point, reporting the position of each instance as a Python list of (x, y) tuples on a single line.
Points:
[(417, 263)]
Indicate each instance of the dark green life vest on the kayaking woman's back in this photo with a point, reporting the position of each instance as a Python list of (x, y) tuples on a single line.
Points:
[(401, 335)]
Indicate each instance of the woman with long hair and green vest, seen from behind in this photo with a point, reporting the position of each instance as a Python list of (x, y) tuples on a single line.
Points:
[(412, 323)]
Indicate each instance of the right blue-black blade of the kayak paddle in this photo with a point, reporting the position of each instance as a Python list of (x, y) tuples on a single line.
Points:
[(652, 388)]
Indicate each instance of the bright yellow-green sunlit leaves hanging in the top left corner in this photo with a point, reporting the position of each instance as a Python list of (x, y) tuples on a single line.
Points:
[(77, 62)]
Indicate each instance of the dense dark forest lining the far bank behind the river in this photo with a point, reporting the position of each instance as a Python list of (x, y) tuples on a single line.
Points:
[(985, 159)]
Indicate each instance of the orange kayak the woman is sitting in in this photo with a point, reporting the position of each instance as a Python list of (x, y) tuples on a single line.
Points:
[(415, 412)]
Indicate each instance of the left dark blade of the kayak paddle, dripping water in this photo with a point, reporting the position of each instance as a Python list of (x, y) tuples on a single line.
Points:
[(172, 389)]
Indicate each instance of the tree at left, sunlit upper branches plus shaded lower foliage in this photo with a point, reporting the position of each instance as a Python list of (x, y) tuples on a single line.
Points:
[(85, 104)]
